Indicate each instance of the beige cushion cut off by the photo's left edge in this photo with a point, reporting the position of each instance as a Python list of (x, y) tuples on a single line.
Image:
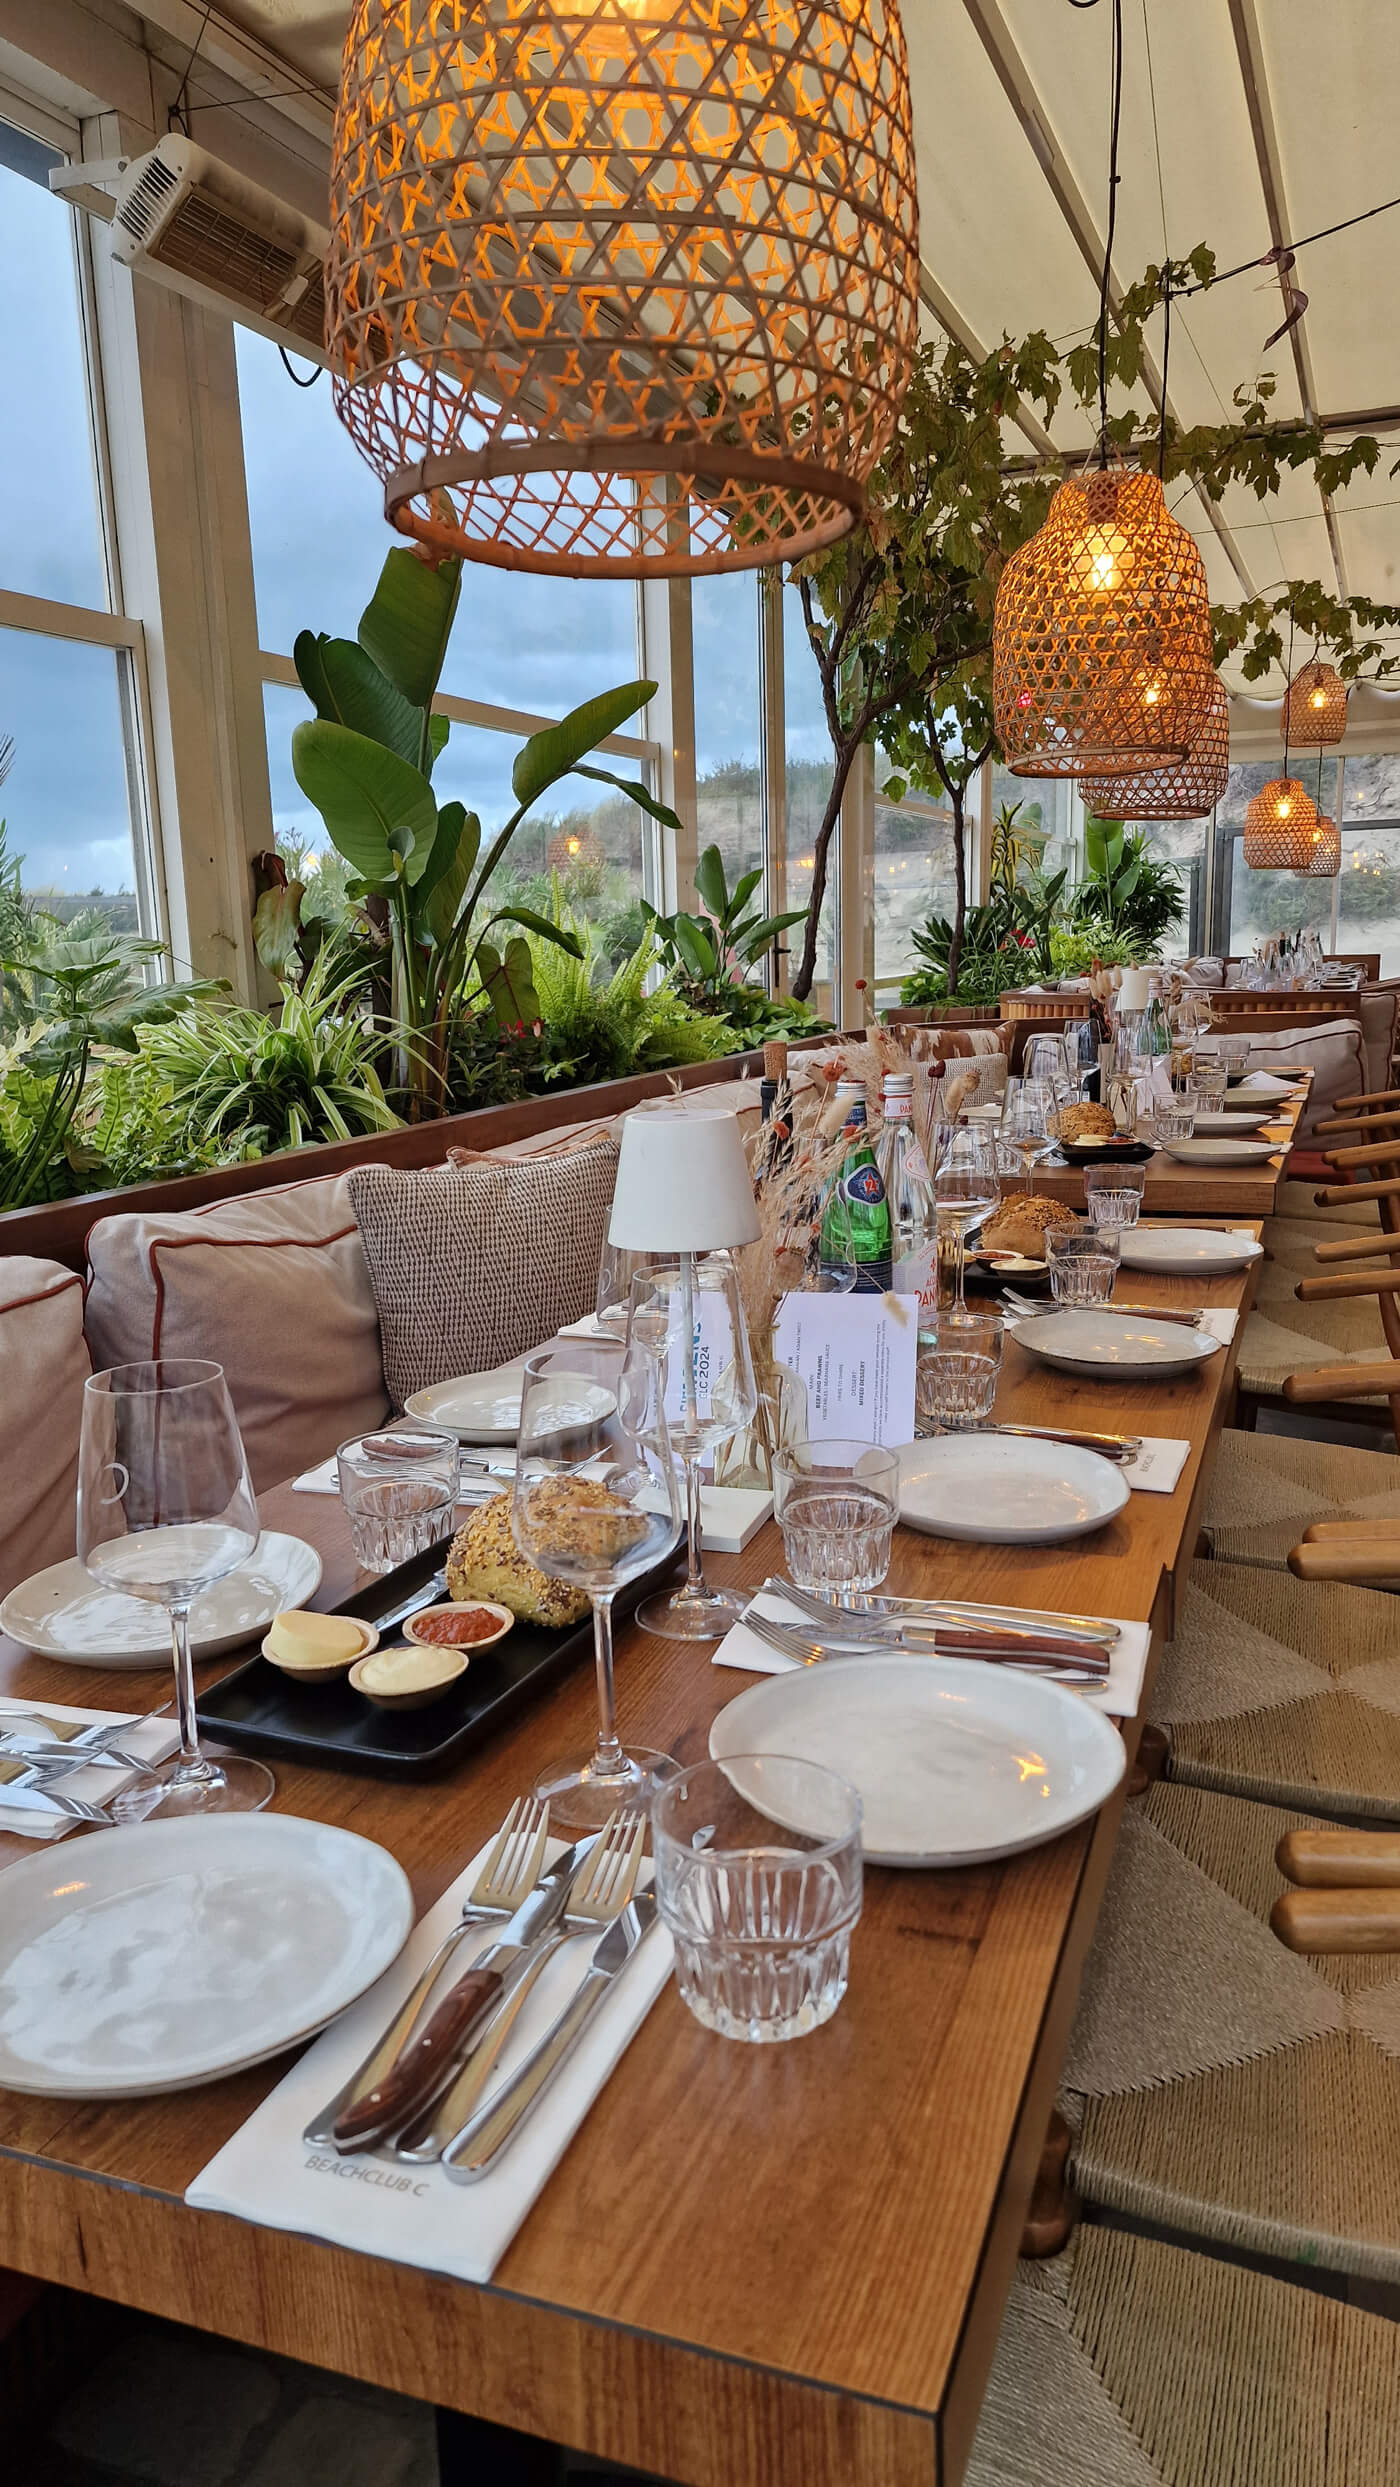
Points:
[(44, 1359)]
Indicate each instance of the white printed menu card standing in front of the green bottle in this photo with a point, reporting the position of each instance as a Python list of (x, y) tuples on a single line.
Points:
[(857, 1357)]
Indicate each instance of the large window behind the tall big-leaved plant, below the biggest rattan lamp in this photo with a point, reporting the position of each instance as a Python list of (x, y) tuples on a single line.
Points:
[(521, 643)]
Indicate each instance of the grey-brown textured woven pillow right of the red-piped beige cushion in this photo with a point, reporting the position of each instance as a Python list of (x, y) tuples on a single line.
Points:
[(481, 1262)]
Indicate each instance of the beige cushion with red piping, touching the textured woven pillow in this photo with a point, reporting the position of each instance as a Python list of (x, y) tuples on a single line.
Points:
[(275, 1290)]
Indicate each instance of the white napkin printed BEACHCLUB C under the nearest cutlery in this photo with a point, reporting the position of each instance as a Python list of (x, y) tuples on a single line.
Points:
[(417, 2215)]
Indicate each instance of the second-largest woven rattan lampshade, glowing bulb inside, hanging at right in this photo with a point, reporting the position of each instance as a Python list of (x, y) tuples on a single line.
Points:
[(1103, 635)]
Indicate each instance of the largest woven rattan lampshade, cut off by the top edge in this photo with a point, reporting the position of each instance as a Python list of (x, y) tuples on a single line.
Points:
[(623, 287)]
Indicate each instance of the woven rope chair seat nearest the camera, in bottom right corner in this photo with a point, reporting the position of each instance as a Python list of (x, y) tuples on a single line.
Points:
[(1130, 2364)]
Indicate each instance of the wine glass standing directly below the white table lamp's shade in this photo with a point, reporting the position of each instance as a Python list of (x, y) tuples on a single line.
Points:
[(690, 1317)]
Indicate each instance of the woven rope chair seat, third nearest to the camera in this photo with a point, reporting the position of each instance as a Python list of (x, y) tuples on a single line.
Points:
[(1284, 1692)]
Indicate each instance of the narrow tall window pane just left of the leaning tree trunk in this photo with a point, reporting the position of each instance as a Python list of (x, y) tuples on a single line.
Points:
[(730, 720)]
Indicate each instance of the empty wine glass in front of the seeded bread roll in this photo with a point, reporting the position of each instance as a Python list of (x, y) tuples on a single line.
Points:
[(596, 1503)]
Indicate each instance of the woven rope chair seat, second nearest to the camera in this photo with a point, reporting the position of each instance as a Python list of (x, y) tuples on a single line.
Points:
[(1217, 2083)]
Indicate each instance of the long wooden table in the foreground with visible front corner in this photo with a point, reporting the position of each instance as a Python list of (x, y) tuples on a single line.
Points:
[(757, 2267)]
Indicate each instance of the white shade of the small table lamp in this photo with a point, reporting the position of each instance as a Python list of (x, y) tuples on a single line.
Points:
[(683, 1185)]
